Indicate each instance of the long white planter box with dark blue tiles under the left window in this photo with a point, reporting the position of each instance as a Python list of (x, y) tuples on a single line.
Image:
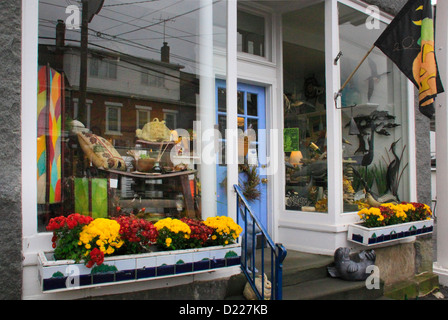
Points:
[(67, 275)]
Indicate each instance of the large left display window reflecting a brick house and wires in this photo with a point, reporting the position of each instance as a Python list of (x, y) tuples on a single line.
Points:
[(121, 111)]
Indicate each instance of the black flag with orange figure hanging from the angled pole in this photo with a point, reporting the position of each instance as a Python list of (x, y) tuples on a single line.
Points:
[(409, 42)]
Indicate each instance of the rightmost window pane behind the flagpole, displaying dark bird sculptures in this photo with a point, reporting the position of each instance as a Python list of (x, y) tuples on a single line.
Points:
[(374, 117)]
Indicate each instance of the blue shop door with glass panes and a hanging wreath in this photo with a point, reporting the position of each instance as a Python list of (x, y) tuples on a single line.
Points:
[(251, 114)]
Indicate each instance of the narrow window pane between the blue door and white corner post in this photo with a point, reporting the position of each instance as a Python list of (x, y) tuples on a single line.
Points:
[(305, 109)]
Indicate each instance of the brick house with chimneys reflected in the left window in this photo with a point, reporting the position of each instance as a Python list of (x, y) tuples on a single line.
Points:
[(124, 92)]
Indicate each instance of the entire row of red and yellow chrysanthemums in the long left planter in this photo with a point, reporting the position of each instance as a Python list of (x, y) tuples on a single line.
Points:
[(77, 237)]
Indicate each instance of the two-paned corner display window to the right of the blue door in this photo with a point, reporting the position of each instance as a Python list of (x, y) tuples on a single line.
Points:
[(374, 108)]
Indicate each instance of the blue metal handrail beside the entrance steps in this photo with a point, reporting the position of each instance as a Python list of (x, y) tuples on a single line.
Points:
[(253, 227)]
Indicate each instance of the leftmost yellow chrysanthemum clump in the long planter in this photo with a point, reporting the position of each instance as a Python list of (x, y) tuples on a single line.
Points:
[(98, 238)]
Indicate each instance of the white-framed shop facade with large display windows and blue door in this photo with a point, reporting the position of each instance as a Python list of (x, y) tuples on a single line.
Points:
[(270, 66)]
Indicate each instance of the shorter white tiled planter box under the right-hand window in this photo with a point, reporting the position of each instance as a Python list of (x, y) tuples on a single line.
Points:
[(373, 236)]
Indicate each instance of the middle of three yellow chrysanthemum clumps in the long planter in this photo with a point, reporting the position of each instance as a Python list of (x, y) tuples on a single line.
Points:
[(173, 234)]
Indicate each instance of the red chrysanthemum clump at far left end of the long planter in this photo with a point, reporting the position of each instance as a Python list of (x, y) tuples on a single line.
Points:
[(66, 232)]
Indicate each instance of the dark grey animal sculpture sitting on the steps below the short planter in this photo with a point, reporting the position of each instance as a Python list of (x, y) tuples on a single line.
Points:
[(351, 267)]
